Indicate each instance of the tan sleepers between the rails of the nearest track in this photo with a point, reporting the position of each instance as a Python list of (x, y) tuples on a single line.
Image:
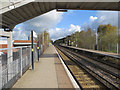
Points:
[(81, 77)]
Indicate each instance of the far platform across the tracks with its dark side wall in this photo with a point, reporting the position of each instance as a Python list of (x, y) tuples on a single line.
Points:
[(111, 60)]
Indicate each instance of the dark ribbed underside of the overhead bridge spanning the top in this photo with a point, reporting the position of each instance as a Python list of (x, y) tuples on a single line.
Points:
[(30, 9)]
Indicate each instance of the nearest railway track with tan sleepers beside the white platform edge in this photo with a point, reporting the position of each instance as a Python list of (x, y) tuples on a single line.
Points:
[(83, 78)]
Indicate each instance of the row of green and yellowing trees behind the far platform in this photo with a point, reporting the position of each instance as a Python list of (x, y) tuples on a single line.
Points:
[(107, 38)]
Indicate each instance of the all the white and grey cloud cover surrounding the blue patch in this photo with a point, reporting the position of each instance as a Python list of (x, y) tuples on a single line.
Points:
[(51, 19)]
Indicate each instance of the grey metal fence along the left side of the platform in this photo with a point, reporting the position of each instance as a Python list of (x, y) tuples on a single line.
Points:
[(21, 61)]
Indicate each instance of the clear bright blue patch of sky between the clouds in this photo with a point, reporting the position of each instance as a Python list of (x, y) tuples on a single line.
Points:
[(76, 17)]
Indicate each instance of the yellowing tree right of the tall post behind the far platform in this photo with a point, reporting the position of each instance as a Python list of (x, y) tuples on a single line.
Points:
[(108, 37)]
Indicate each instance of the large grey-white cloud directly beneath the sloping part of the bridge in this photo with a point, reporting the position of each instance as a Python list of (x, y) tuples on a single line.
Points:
[(48, 20)]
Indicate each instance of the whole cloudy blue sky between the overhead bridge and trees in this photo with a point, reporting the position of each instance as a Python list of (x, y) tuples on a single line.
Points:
[(61, 24)]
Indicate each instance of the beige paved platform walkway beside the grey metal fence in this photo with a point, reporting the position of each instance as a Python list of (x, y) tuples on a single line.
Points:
[(48, 73)]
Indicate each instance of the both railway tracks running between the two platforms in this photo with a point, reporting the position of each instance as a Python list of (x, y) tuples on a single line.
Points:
[(98, 72)]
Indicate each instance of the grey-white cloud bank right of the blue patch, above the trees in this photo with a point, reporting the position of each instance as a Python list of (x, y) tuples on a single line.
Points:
[(102, 17)]
